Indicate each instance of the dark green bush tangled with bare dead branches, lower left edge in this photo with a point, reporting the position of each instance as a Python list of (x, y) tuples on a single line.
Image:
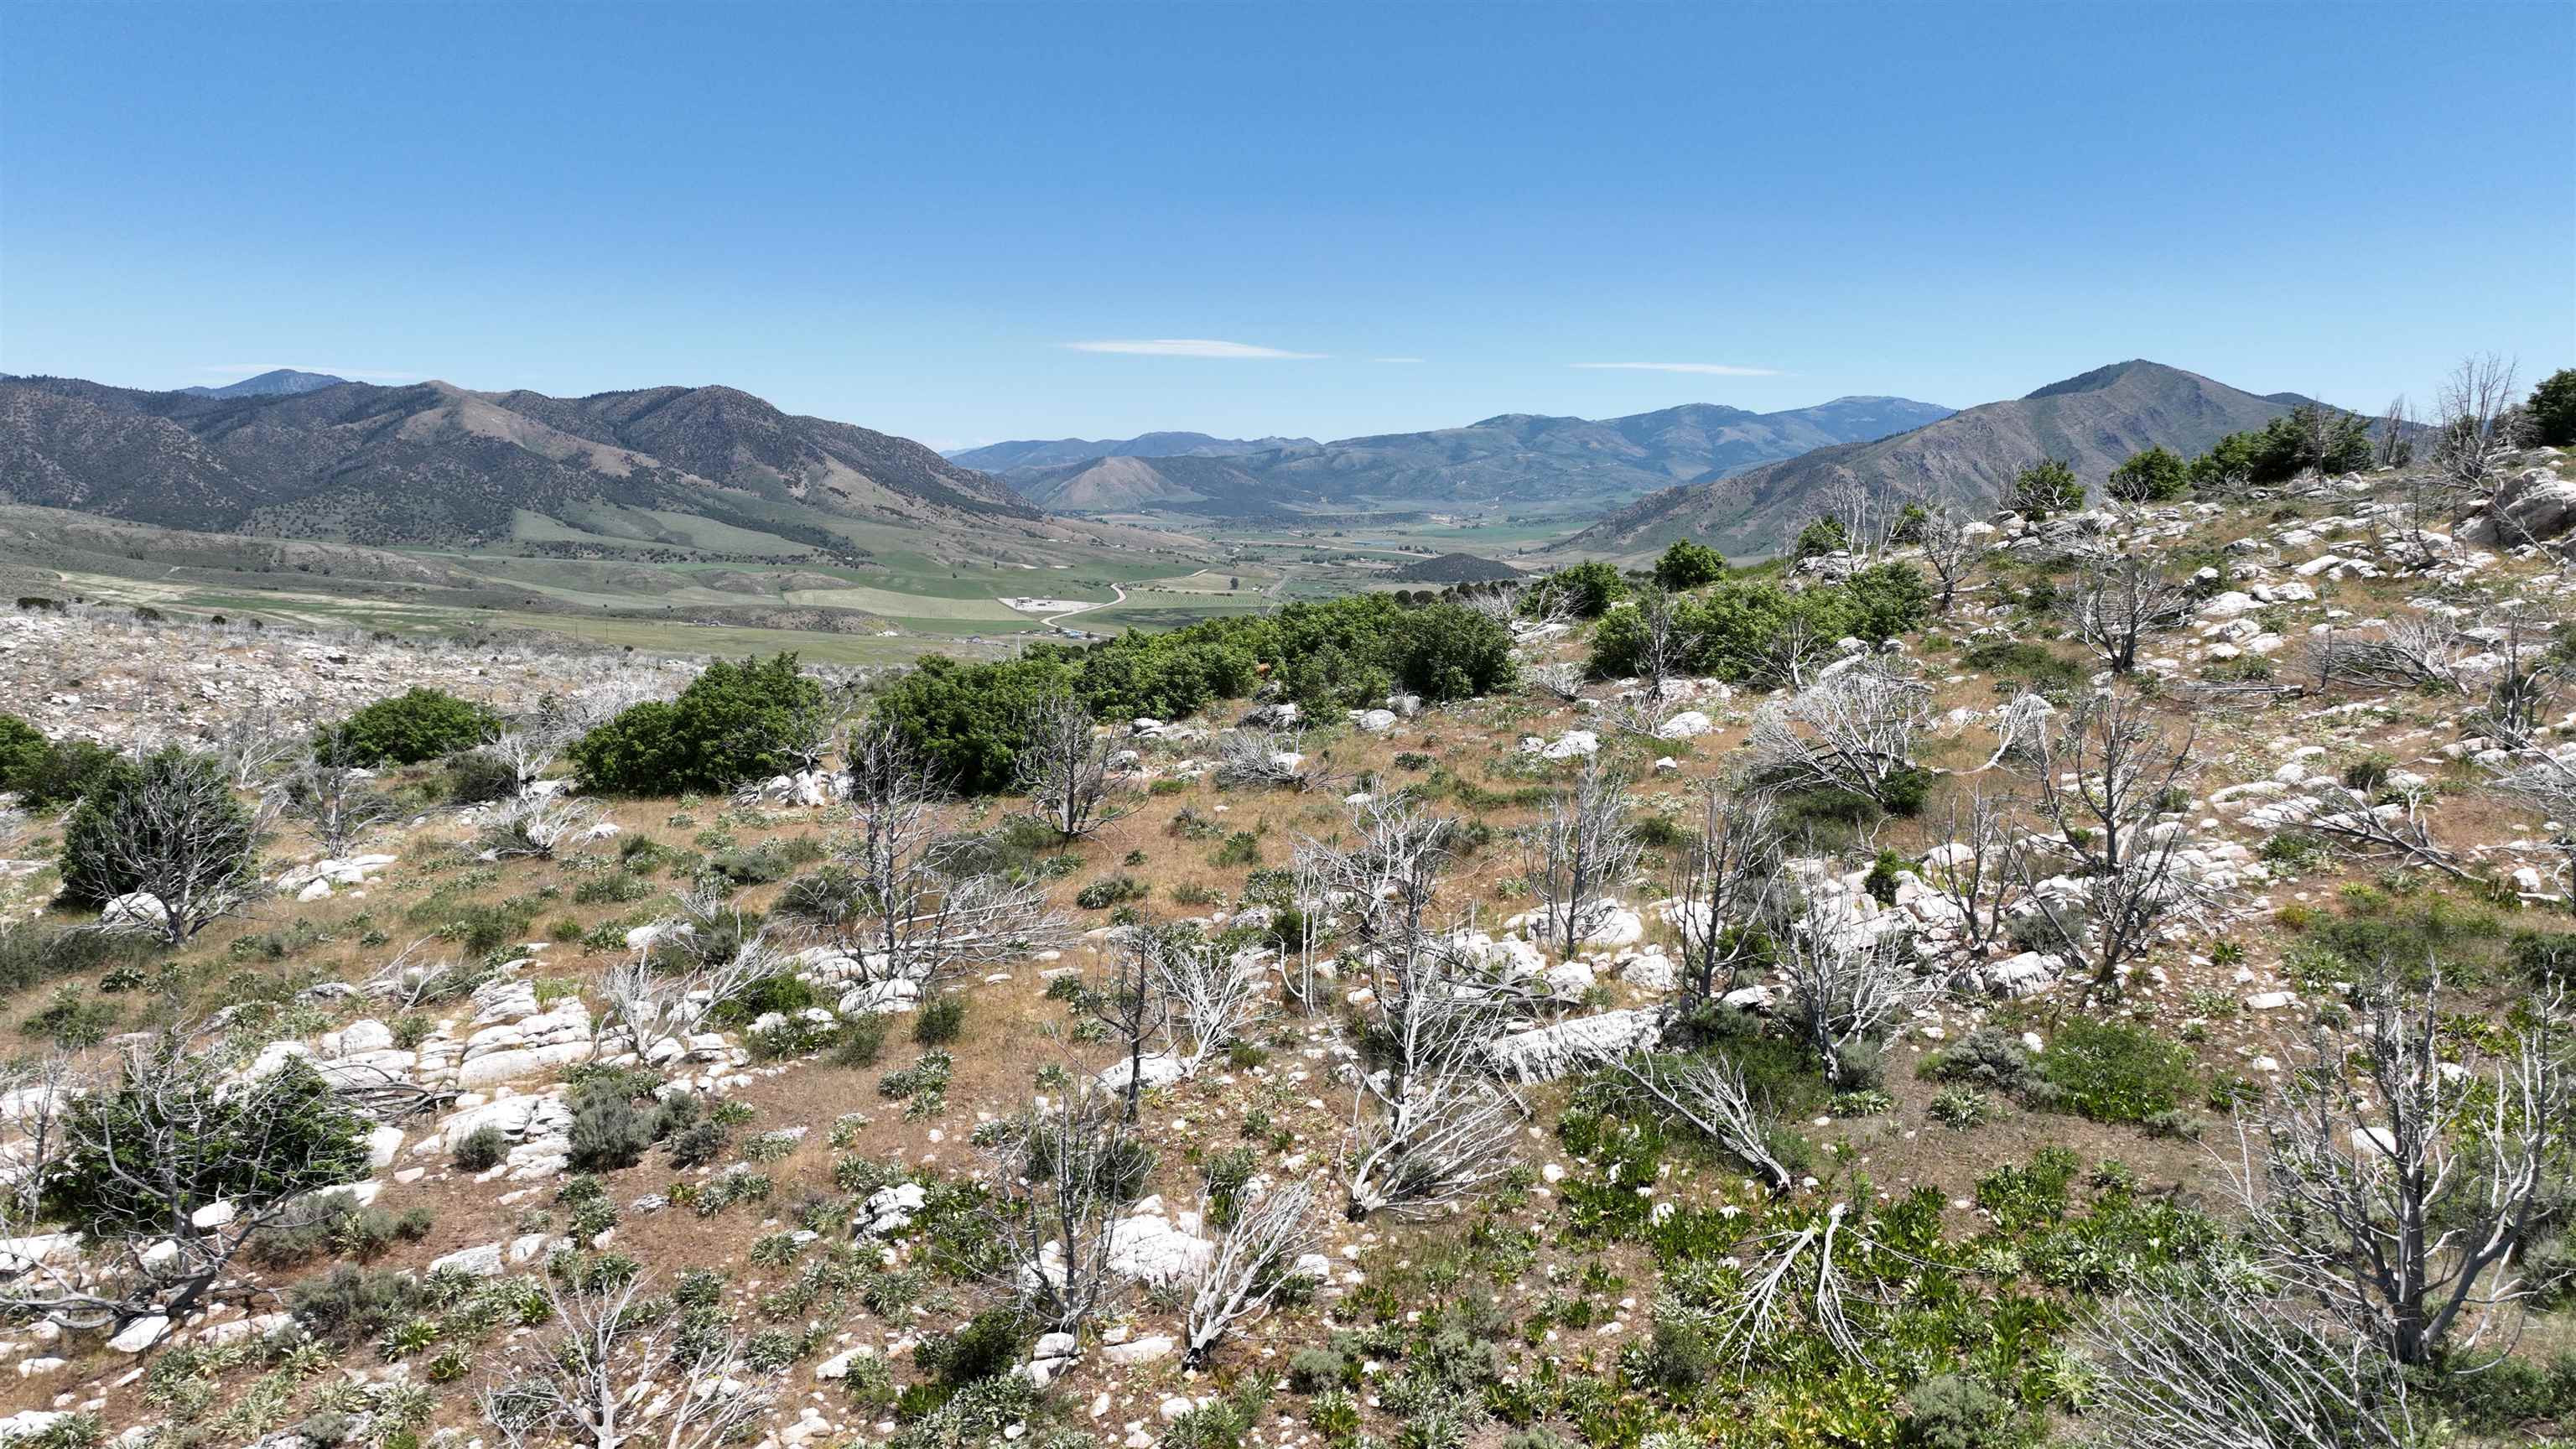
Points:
[(169, 1174)]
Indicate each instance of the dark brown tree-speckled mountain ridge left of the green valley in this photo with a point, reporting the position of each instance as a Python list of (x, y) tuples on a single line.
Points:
[(442, 465)]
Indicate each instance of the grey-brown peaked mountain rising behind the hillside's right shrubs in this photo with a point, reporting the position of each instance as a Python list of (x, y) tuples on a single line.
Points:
[(2096, 422)]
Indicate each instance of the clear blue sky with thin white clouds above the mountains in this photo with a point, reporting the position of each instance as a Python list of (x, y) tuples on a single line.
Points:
[(913, 218)]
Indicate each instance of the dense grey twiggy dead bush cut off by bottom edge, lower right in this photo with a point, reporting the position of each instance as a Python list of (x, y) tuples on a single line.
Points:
[(2224, 1373)]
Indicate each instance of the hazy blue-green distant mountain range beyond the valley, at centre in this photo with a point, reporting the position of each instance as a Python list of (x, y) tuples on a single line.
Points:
[(1513, 458)]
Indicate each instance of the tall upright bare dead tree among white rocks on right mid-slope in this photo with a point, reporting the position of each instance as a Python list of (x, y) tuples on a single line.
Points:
[(2111, 875)]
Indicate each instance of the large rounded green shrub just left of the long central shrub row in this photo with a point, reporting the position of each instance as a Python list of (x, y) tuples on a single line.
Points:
[(730, 726)]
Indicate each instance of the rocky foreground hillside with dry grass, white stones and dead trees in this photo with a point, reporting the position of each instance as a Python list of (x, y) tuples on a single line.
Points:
[(1815, 1009)]
